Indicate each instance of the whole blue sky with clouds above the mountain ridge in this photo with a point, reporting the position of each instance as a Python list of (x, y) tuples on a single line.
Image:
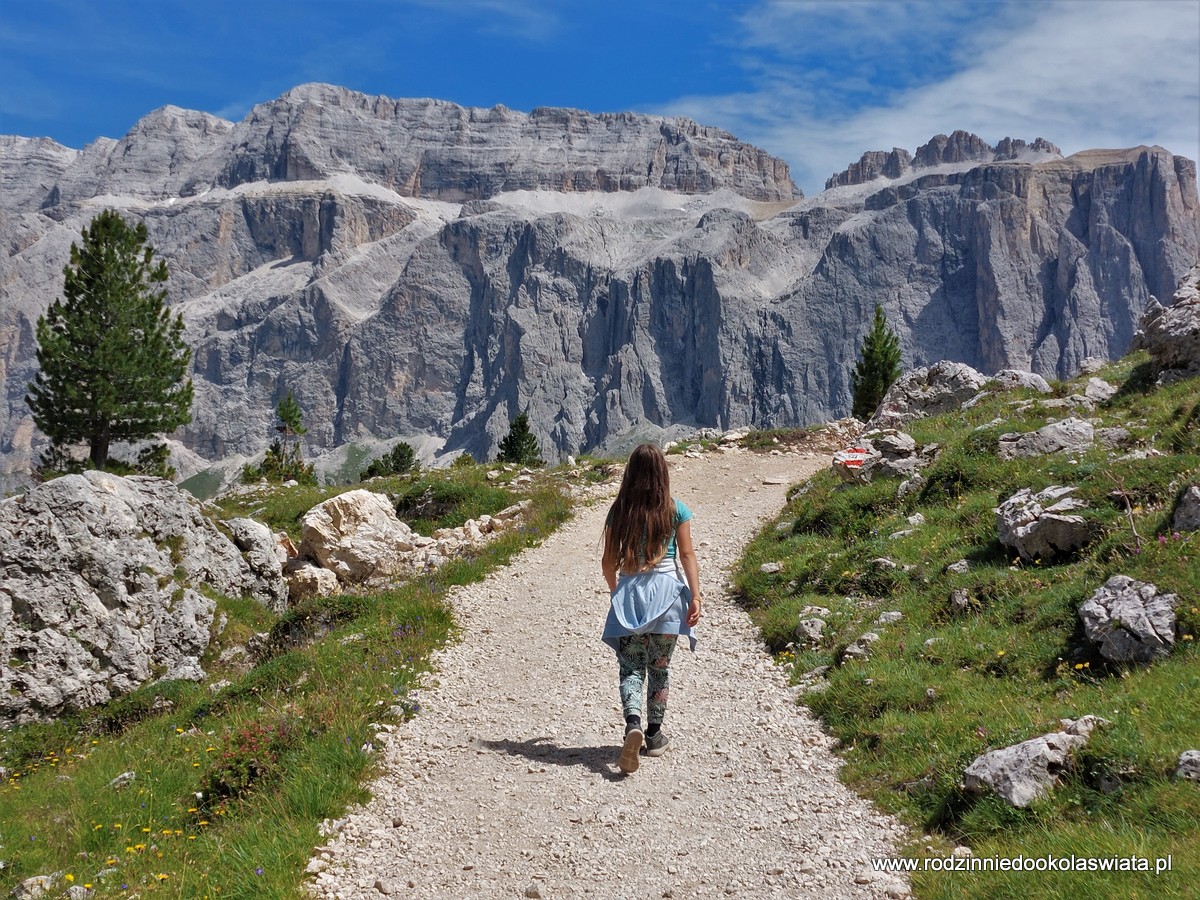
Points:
[(814, 83)]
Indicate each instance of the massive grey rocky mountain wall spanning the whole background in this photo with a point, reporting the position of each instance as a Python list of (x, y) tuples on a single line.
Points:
[(416, 268)]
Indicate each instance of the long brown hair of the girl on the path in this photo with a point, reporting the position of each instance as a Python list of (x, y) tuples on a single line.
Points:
[(643, 518)]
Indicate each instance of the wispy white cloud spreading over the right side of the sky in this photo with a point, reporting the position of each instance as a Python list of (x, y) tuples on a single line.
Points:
[(1082, 75)]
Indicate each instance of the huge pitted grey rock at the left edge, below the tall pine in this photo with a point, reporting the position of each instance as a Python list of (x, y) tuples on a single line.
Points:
[(98, 591)]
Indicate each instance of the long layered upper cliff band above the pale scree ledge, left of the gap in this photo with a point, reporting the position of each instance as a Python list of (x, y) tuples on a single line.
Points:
[(418, 148)]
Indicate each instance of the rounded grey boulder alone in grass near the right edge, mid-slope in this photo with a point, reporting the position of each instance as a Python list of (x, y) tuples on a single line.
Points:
[(1132, 621)]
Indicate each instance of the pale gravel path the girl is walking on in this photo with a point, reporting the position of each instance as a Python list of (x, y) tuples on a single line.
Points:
[(507, 783)]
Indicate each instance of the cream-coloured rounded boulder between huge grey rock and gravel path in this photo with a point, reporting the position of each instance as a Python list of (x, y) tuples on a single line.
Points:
[(356, 535)]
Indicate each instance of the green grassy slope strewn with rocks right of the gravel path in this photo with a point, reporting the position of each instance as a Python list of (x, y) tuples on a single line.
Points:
[(944, 686)]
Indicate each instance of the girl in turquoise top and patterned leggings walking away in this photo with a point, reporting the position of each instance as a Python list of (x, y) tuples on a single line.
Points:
[(647, 544)]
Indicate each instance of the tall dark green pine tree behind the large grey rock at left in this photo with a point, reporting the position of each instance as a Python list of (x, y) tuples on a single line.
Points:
[(112, 357)]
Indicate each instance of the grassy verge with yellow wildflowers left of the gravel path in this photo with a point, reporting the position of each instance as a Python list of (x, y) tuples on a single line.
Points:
[(309, 710)]
